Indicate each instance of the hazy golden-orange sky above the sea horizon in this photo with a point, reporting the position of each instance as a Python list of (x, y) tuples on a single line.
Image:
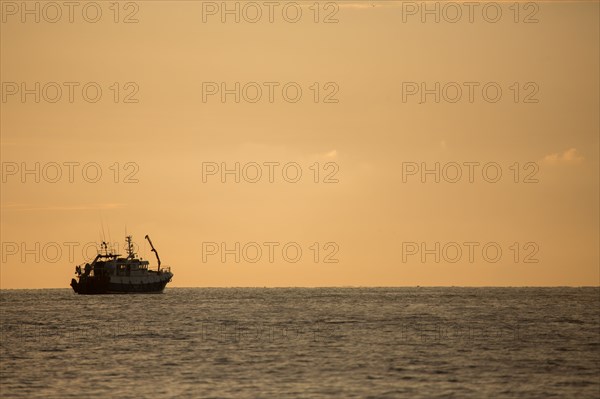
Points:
[(348, 144)]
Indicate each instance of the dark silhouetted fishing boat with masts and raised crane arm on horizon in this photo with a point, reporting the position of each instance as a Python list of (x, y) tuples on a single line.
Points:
[(114, 274)]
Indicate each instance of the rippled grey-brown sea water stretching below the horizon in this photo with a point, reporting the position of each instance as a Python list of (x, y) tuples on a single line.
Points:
[(302, 343)]
